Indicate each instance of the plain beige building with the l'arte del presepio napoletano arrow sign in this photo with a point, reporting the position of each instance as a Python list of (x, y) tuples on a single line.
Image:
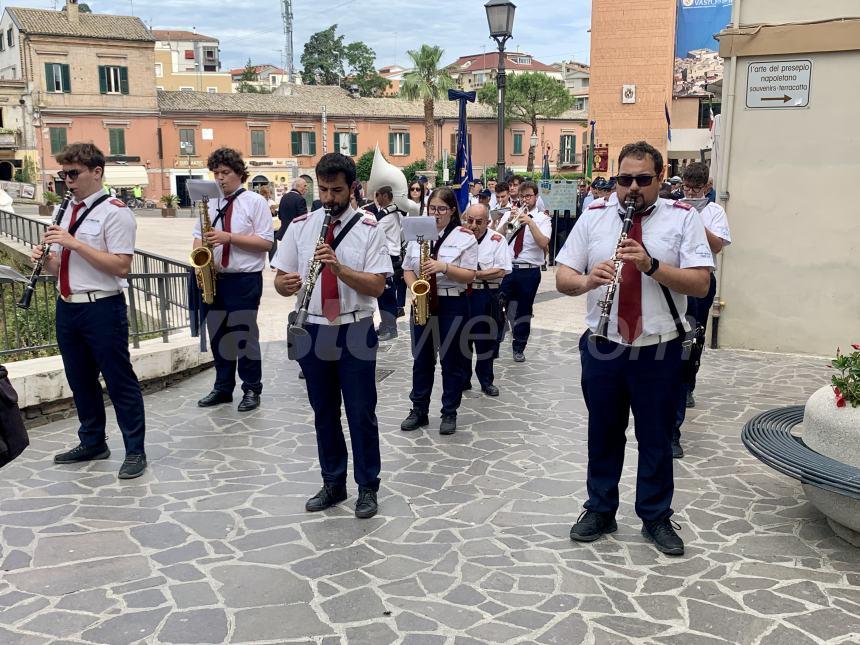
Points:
[(790, 279)]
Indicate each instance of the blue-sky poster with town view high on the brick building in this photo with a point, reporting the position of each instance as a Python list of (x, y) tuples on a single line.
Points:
[(697, 60)]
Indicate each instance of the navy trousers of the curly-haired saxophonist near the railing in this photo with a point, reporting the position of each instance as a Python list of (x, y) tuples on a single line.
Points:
[(233, 332)]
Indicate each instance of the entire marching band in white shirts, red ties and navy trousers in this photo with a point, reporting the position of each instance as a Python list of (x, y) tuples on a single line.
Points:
[(482, 272)]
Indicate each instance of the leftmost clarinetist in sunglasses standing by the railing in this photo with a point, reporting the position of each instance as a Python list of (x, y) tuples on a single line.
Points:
[(91, 255)]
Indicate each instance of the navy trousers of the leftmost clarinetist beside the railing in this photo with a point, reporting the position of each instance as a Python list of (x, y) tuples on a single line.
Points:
[(93, 339)]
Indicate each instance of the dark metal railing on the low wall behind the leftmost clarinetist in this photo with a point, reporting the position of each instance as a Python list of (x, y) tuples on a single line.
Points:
[(157, 297)]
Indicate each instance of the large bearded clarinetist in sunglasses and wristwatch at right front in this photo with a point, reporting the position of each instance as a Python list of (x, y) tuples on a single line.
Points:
[(665, 258)]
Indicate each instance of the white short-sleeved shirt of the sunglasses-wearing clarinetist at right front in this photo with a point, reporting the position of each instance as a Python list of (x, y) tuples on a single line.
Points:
[(673, 233)]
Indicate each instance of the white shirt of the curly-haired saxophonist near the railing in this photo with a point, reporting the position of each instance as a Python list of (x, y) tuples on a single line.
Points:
[(250, 216)]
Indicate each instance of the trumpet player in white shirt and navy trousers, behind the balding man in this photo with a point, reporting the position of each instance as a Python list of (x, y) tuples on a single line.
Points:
[(528, 248)]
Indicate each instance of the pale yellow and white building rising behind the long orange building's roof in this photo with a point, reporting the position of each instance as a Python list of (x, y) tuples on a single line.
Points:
[(188, 61)]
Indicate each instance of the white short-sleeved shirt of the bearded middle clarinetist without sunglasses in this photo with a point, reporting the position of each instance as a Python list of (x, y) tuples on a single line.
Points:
[(362, 249)]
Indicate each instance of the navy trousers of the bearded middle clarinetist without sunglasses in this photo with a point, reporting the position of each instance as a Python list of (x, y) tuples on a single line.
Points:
[(342, 362)]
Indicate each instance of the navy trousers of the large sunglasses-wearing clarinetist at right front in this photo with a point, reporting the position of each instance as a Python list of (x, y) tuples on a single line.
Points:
[(616, 379)]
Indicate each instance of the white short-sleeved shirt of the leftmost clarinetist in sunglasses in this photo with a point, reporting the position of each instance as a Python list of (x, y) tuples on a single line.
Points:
[(111, 227)]
